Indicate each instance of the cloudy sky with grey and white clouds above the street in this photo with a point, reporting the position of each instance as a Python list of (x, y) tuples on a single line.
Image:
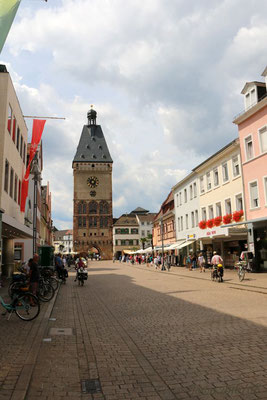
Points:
[(164, 76)]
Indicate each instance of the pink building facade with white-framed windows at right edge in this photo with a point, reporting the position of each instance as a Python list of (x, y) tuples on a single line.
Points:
[(252, 128)]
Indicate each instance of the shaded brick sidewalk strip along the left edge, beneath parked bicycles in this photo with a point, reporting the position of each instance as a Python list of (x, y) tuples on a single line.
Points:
[(20, 342)]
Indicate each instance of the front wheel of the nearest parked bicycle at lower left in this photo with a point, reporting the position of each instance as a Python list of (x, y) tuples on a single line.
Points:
[(27, 306)]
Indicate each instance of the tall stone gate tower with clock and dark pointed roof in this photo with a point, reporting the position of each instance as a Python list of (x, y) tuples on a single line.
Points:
[(92, 205)]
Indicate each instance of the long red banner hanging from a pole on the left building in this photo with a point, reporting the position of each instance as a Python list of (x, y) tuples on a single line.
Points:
[(37, 130)]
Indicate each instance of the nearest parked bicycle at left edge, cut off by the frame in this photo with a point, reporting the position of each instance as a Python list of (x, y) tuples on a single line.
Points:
[(25, 305)]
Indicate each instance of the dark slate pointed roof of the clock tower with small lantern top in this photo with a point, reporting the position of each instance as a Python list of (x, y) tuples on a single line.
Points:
[(92, 146)]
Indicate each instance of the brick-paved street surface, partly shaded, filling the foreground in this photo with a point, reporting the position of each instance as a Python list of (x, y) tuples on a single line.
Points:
[(135, 332)]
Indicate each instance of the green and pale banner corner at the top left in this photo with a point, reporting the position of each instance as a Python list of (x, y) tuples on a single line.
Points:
[(8, 9)]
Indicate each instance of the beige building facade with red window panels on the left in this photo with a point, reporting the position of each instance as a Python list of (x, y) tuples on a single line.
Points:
[(13, 158)]
